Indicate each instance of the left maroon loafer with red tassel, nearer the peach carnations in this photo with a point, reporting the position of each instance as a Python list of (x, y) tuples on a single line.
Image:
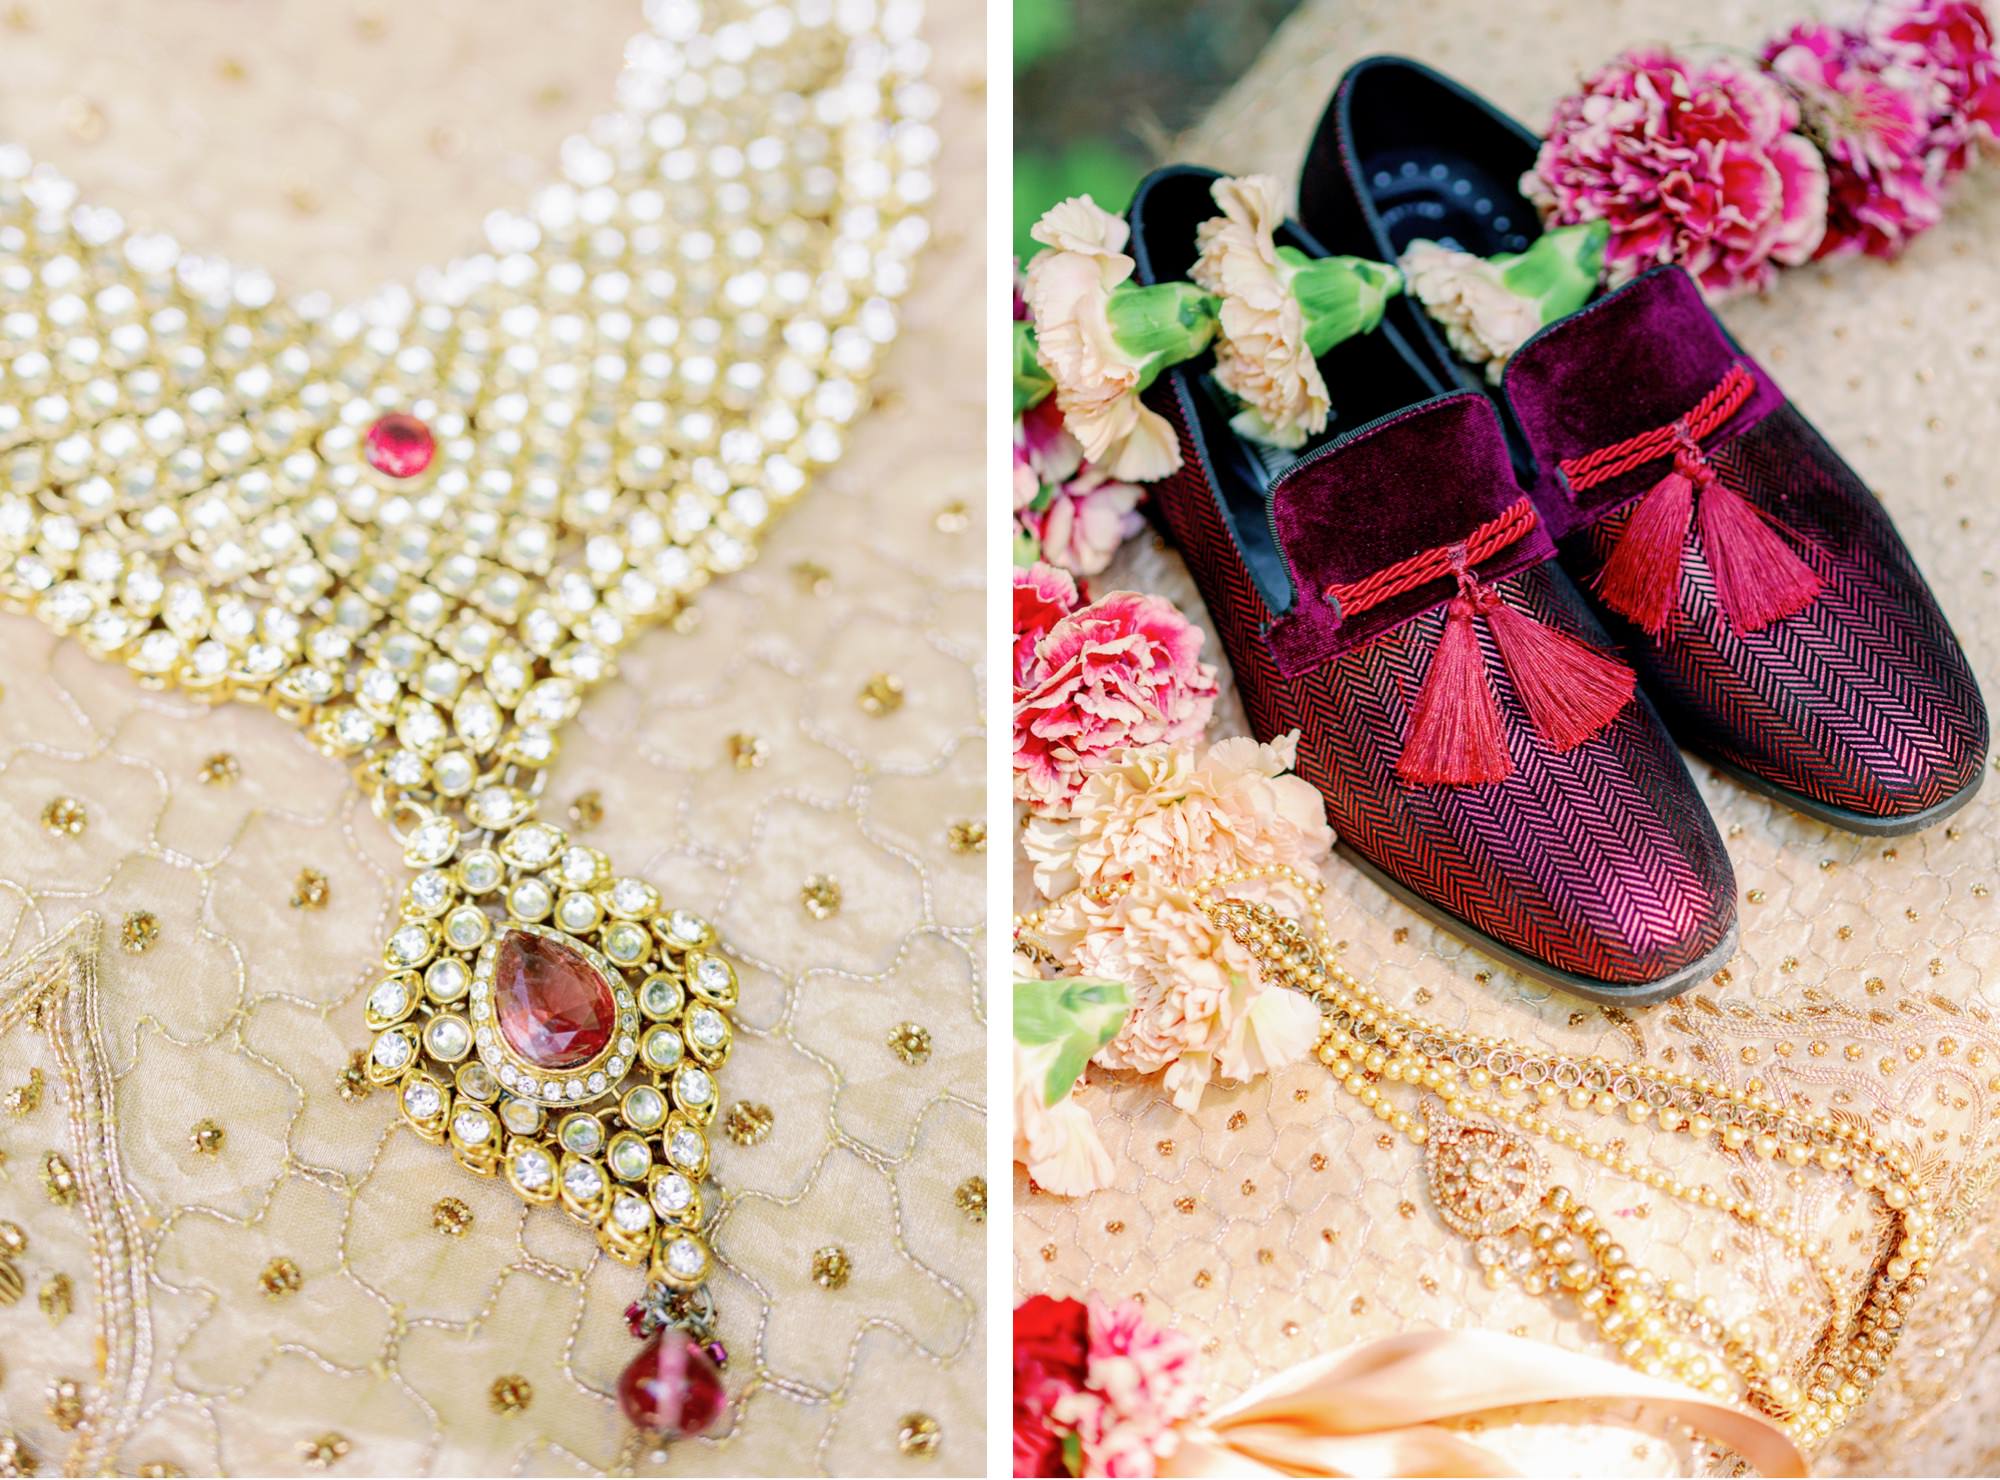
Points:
[(1393, 597)]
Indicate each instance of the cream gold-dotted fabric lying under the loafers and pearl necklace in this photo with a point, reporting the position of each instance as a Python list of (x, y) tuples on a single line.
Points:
[(1281, 1221)]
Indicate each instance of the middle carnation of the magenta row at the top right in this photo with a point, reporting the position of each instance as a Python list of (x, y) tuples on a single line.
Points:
[(1871, 119)]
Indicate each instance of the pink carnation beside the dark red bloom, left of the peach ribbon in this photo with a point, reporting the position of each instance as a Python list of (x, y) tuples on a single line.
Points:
[(1141, 1383)]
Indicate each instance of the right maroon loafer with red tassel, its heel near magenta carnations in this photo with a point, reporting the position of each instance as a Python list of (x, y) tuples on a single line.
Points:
[(1767, 601)]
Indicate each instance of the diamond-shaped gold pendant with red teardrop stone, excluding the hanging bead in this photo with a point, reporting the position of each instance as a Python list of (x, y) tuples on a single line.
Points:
[(555, 1025)]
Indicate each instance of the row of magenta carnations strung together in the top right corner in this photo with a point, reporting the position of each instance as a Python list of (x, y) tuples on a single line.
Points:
[(1841, 137)]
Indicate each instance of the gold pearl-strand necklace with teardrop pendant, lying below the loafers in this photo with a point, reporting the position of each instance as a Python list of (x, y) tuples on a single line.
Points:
[(1479, 1101)]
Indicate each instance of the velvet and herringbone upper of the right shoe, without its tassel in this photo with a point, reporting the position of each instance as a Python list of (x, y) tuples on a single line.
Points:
[(1857, 707)]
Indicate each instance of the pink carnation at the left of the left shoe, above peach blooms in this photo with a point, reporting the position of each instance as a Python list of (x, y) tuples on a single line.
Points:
[(1119, 673)]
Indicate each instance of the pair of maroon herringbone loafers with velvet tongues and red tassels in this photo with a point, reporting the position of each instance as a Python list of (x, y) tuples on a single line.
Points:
[(1435, 593)]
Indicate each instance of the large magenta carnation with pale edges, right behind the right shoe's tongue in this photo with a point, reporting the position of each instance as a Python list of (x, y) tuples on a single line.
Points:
[(1687, 163)]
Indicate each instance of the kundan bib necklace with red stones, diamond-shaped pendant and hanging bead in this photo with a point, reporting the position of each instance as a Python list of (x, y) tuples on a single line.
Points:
[(423, 527)]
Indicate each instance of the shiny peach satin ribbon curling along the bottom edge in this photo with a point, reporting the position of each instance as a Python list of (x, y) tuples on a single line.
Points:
[(1375, 1409)]
